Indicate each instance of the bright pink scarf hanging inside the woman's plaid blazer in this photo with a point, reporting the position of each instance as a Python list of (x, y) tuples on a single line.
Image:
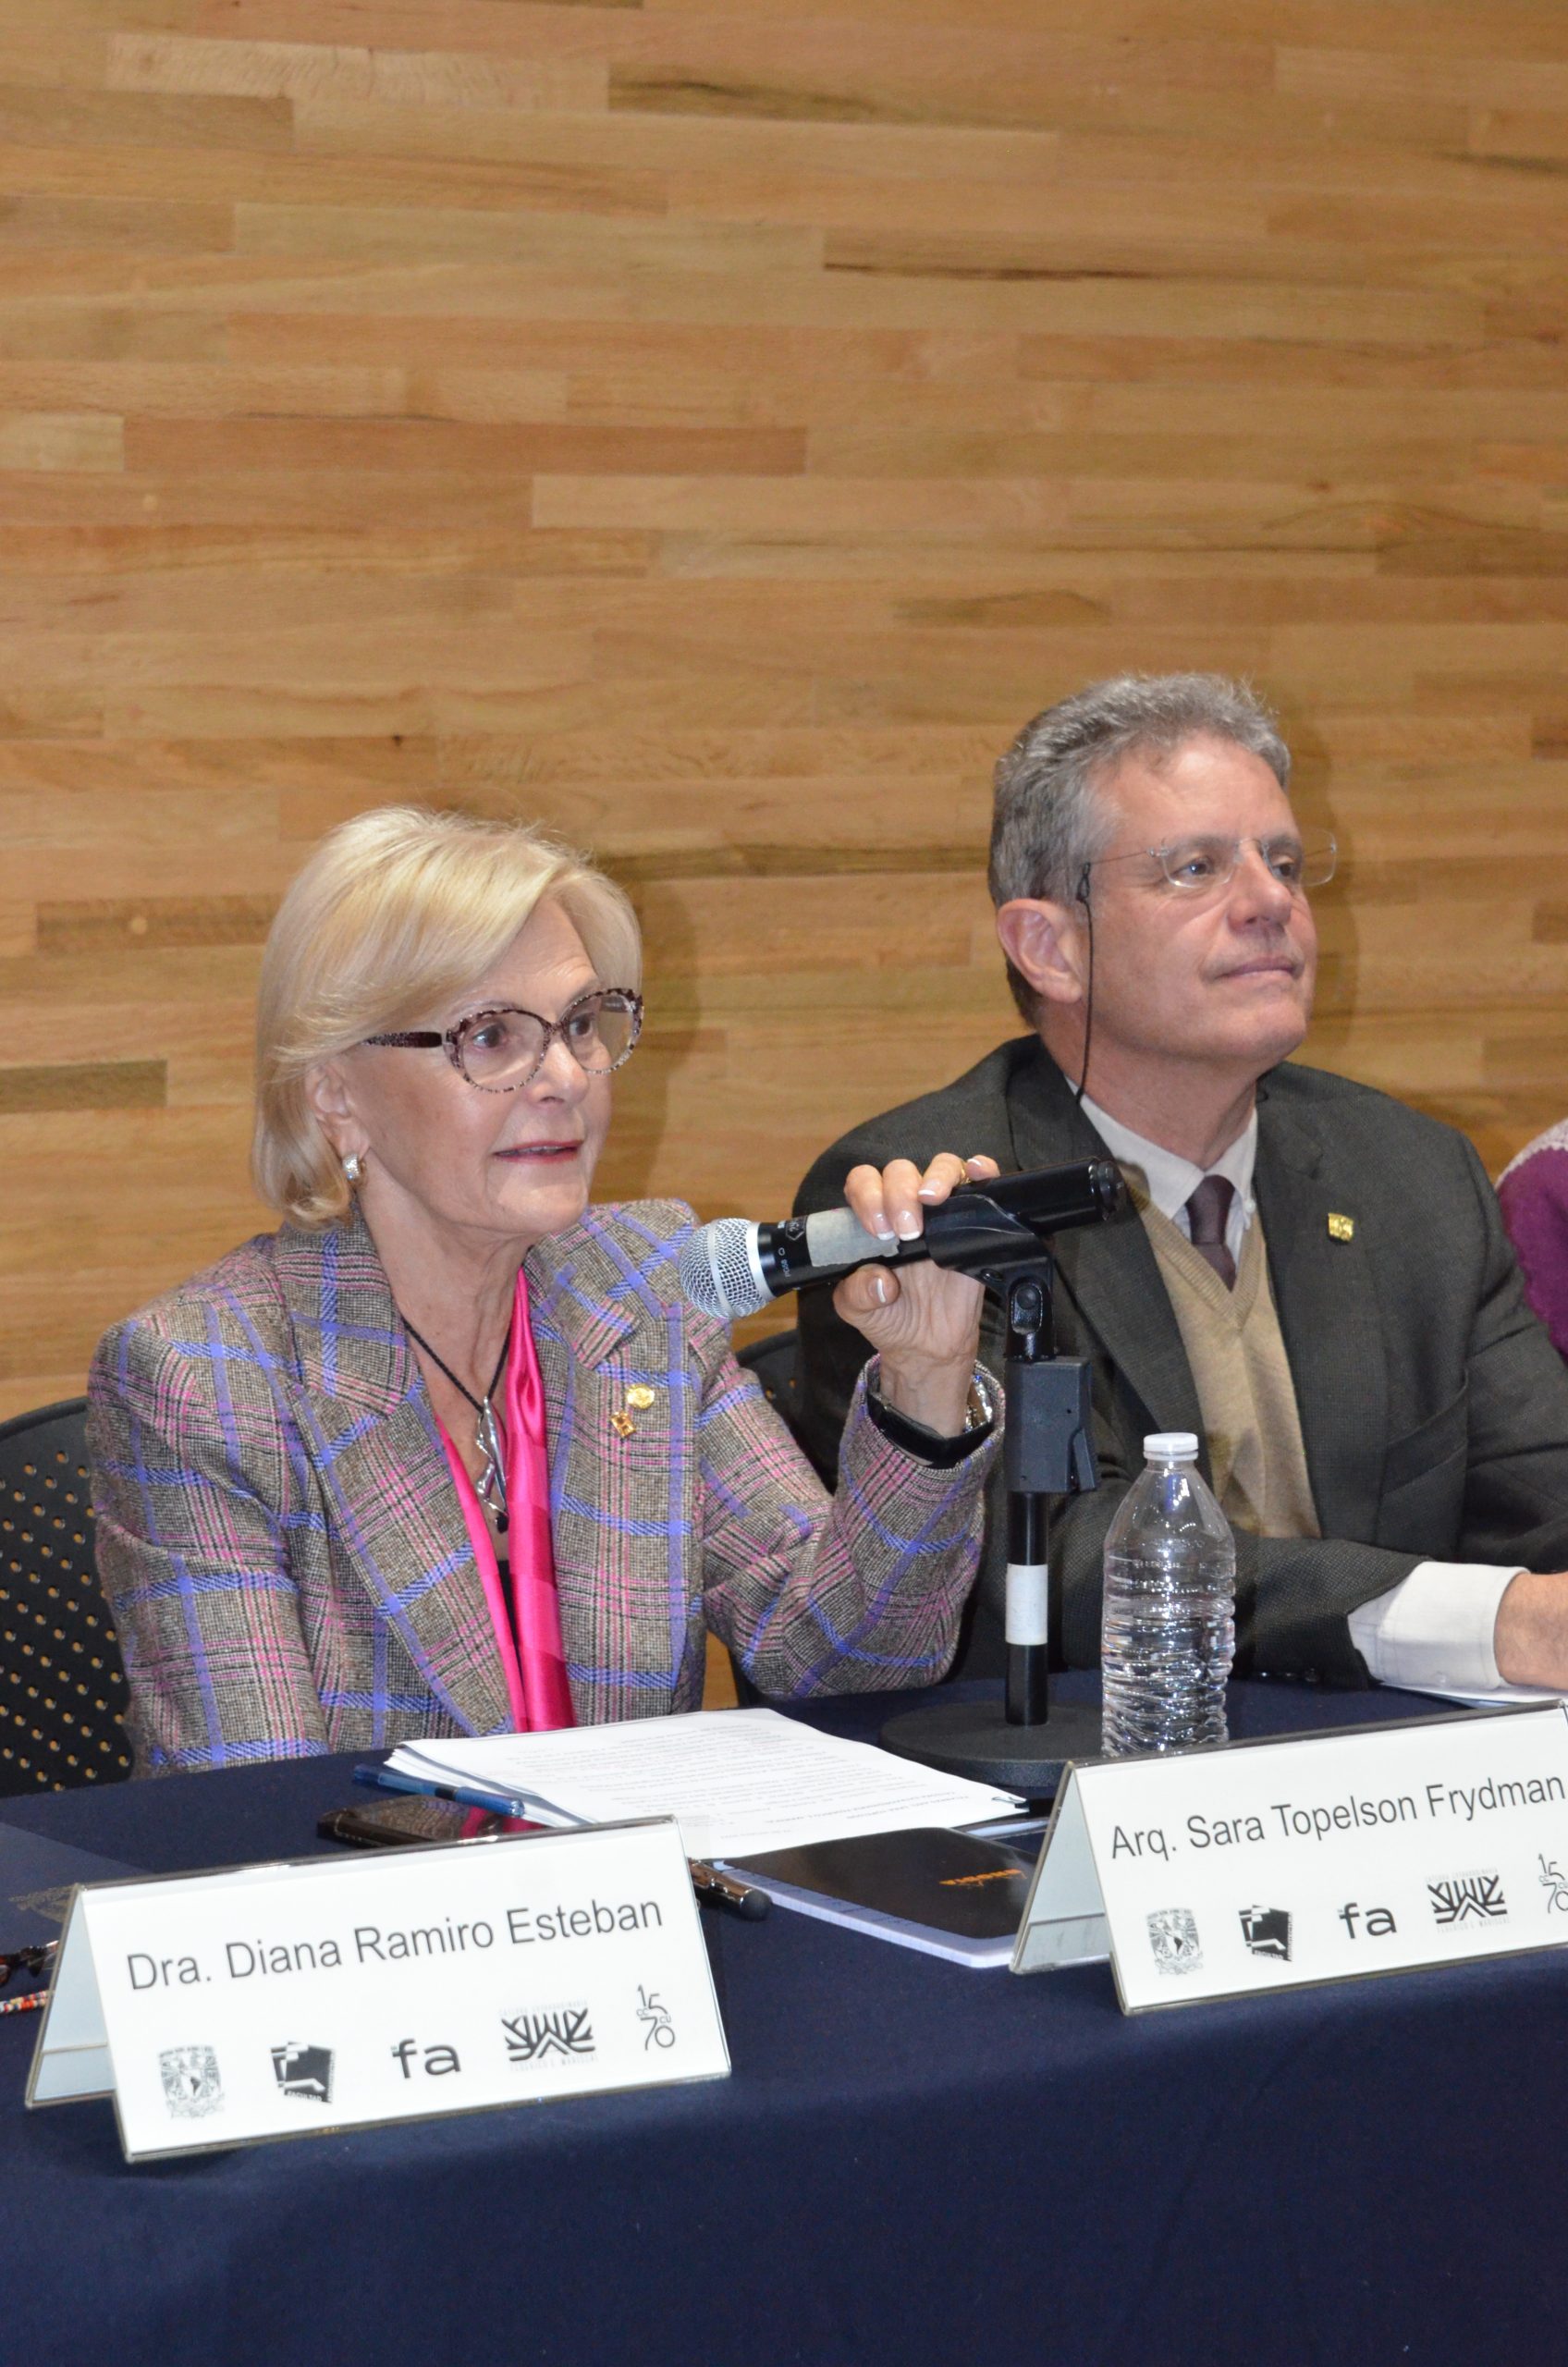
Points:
[(529, 1642)]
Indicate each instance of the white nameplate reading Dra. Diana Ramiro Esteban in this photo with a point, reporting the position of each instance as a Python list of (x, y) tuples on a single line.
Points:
[(271, 2001)]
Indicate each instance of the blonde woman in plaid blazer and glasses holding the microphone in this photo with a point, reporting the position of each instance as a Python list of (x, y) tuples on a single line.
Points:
[(449, 1452)]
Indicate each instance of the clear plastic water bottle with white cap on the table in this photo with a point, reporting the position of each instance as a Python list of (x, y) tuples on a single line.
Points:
[(1169, 1608)]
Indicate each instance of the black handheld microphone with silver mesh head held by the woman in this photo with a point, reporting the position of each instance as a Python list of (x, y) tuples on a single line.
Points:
[(733, 1268)]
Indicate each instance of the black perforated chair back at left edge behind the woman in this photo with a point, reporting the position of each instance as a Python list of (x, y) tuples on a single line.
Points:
[(63, 1684)]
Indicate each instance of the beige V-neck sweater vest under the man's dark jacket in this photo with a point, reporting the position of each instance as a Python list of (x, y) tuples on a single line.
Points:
[(1245, 1381)]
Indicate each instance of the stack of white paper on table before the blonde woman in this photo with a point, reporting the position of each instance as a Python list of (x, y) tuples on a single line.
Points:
[(735, 1779)]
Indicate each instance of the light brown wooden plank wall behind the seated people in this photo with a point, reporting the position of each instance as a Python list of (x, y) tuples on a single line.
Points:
[(714, 427)]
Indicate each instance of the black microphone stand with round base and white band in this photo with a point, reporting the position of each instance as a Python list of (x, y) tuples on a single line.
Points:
[(1022, 1743)]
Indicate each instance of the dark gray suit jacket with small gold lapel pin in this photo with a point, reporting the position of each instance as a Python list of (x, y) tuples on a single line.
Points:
[(1434, 1407)]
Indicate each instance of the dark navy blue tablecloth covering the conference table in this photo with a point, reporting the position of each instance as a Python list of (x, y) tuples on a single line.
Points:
[(911, 2165)]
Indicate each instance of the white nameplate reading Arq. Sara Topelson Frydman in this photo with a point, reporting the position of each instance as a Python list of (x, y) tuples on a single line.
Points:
[(1309, 1857)]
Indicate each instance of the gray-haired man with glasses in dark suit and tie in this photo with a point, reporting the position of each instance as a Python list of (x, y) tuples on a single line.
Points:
[(1311, 1277)]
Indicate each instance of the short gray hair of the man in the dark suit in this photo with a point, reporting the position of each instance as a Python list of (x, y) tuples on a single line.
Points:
[(1048, 818)]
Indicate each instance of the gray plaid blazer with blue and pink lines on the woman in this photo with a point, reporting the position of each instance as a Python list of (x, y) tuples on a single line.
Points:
[(288, 1561)]
